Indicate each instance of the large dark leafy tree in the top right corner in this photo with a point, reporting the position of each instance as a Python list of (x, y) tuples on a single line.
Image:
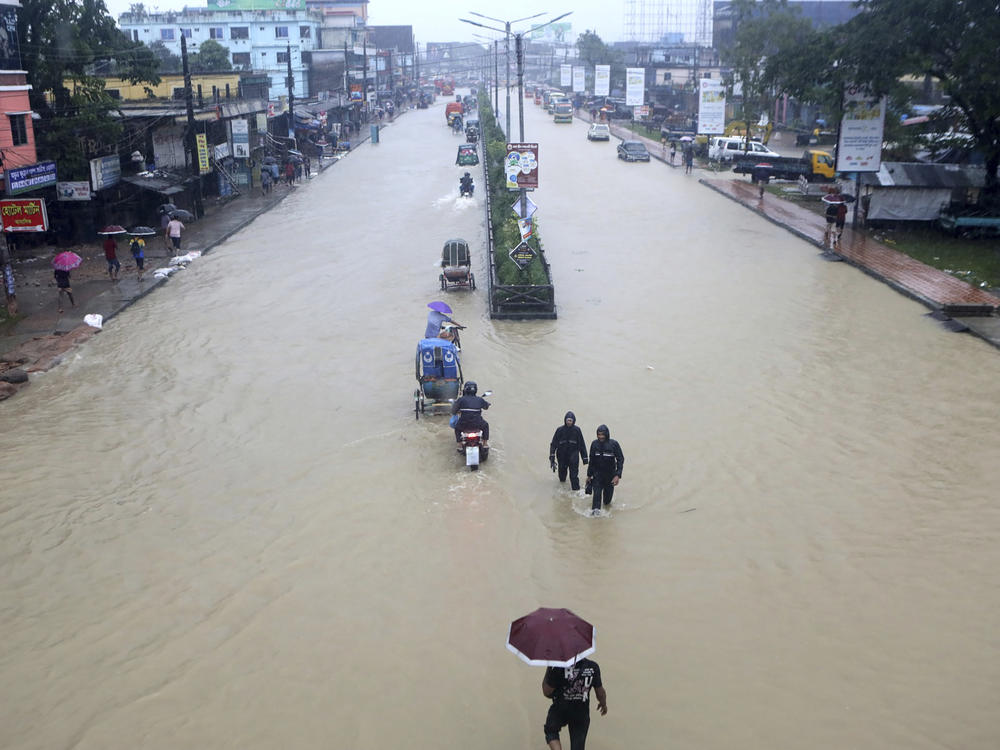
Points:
[(955, 42)]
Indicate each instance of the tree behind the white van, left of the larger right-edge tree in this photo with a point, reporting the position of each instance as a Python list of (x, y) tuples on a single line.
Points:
[(763, 30)]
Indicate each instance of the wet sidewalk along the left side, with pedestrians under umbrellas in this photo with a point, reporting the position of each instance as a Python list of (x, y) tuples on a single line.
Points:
[(37, 340)]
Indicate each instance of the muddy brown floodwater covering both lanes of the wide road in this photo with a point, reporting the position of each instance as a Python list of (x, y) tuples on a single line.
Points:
[(221, 526)]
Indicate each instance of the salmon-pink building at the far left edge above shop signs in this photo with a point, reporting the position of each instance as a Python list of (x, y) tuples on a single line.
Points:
[(17, 136)]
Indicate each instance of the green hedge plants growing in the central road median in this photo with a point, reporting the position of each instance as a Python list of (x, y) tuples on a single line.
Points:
[(506, 234)]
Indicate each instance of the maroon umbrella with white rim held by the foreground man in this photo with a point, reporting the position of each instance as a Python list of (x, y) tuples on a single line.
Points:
[(551, 638)]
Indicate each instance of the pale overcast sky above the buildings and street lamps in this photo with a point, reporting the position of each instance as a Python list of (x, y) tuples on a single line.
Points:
[(437, 20)]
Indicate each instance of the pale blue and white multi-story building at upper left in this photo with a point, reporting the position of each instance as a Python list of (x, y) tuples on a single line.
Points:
[(257, 40)]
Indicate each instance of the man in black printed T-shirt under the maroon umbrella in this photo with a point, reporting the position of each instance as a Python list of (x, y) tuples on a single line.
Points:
[(569, 690)]
